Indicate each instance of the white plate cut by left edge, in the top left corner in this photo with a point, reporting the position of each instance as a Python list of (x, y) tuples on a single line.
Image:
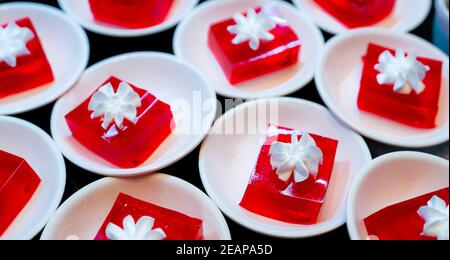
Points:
[(68, 55)]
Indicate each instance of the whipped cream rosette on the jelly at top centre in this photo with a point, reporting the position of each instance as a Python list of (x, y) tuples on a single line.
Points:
[(256, 26)]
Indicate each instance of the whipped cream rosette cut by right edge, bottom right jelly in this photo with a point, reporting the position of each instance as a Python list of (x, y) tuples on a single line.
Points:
[(435, 215)]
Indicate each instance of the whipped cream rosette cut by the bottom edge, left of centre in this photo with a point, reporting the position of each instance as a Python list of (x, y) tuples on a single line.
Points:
[(142, 230)]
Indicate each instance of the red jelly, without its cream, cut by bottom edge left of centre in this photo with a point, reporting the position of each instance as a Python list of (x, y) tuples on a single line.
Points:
[(177, 226)]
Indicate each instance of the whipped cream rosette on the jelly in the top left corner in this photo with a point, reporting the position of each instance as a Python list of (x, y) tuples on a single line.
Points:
[(13, 43)]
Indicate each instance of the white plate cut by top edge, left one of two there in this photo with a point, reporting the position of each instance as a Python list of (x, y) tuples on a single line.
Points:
[(80, 10)]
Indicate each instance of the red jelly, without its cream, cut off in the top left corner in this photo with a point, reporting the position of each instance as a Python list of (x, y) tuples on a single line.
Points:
[(31, 71)]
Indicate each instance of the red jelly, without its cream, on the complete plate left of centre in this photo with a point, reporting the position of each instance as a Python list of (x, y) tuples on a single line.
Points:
[(135, 142)]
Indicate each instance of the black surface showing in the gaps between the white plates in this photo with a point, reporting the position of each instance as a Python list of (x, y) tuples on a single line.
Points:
[(103, 47)]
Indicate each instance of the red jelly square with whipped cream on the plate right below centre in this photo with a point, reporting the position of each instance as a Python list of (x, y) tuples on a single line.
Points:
[(291, 177)]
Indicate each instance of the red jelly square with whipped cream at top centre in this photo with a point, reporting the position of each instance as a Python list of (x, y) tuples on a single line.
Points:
[(253, 44)]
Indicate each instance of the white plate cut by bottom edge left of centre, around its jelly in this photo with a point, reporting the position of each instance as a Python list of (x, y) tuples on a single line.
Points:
[(82, 215)]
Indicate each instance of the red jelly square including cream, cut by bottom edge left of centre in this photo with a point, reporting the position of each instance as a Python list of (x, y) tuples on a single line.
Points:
[(134, 219)]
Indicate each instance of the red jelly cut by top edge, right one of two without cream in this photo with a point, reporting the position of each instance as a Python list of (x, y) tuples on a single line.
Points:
[(358, 13)]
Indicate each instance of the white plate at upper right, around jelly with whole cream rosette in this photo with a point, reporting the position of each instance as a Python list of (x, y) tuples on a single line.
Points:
[(338, 81)]
